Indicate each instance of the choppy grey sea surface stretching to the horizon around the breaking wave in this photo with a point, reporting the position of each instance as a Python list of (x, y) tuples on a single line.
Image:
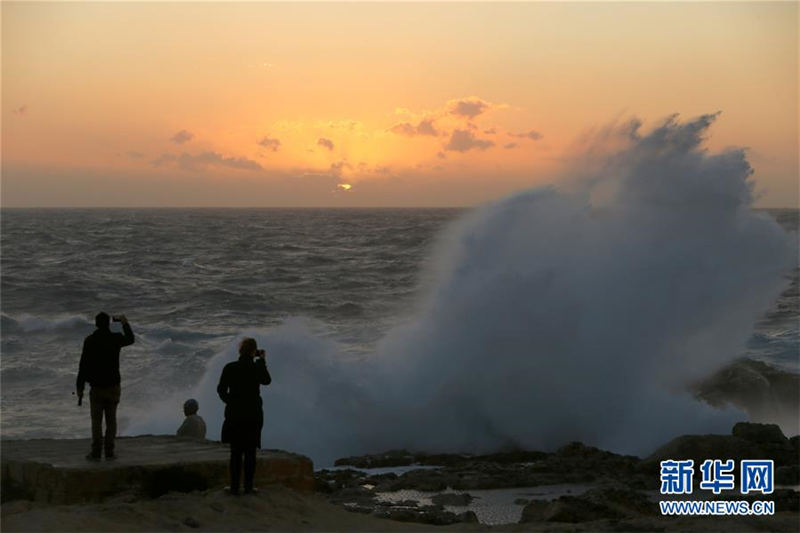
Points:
[(191, 280)]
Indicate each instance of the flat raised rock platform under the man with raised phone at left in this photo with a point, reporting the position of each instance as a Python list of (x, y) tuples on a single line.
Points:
[(57, 471)]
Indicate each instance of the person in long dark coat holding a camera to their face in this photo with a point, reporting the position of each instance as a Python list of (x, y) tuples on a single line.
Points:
[(239, 389)]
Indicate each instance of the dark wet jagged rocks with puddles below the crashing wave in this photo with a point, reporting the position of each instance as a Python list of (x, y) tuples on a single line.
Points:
[(624, 487)]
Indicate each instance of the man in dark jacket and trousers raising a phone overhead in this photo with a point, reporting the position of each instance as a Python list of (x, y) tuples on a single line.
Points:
[(99, 367)]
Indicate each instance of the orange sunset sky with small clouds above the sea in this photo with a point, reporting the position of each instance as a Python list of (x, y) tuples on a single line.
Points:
[(194, 104)]
